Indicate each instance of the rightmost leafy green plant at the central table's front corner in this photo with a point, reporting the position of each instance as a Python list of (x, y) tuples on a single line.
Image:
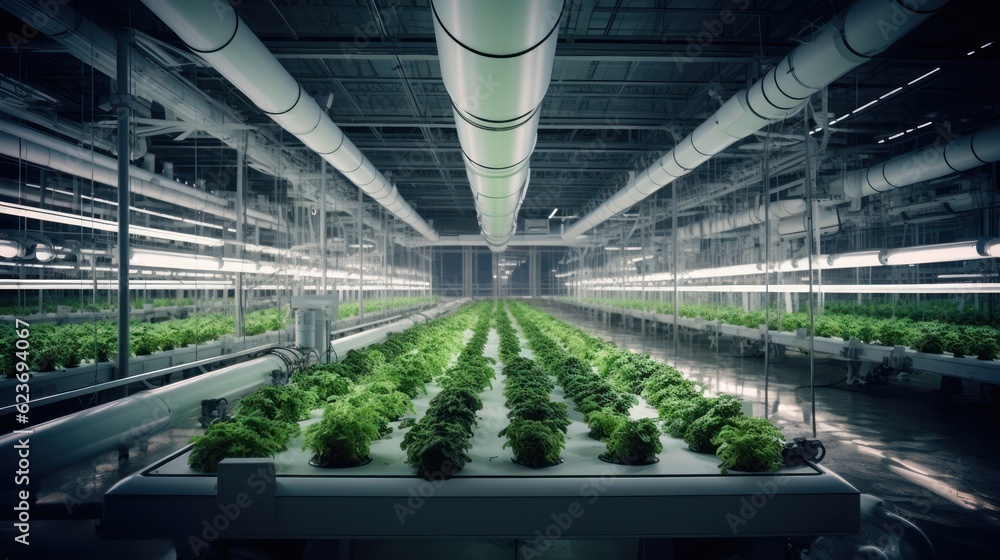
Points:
[(750, 444)]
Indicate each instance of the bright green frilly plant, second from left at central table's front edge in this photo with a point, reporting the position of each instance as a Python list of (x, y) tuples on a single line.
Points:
[(343, 437)]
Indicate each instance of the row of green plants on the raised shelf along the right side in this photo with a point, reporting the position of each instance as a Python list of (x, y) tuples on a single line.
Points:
[(930, 336)]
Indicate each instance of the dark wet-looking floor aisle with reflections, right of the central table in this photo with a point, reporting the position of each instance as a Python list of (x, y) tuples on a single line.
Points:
[(933, 456)]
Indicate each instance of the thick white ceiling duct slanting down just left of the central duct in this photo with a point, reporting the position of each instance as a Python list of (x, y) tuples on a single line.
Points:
[(221, 38)]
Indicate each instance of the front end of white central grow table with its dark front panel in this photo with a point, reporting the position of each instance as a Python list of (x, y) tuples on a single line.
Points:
[(683, 495)]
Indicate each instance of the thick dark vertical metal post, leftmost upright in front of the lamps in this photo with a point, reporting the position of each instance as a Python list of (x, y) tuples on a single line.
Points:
[(123, 103)]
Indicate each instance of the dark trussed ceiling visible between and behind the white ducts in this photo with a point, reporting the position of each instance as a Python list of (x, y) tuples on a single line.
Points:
[(630, 78)]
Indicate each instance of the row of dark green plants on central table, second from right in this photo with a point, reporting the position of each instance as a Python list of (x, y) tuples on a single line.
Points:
[(606, 408)]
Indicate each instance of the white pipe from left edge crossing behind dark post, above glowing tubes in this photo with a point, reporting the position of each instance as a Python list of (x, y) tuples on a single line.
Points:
[(71, 162)]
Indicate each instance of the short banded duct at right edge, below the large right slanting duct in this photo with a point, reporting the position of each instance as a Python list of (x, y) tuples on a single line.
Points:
[(936, 161)]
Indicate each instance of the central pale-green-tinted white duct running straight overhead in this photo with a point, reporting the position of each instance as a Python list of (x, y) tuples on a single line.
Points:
[(496, 62)]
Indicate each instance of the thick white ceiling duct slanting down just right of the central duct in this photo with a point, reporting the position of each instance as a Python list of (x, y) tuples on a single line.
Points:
[(838, 47)]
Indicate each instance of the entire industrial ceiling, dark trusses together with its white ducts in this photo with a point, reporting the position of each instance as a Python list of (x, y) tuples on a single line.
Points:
[(580, 123)]
